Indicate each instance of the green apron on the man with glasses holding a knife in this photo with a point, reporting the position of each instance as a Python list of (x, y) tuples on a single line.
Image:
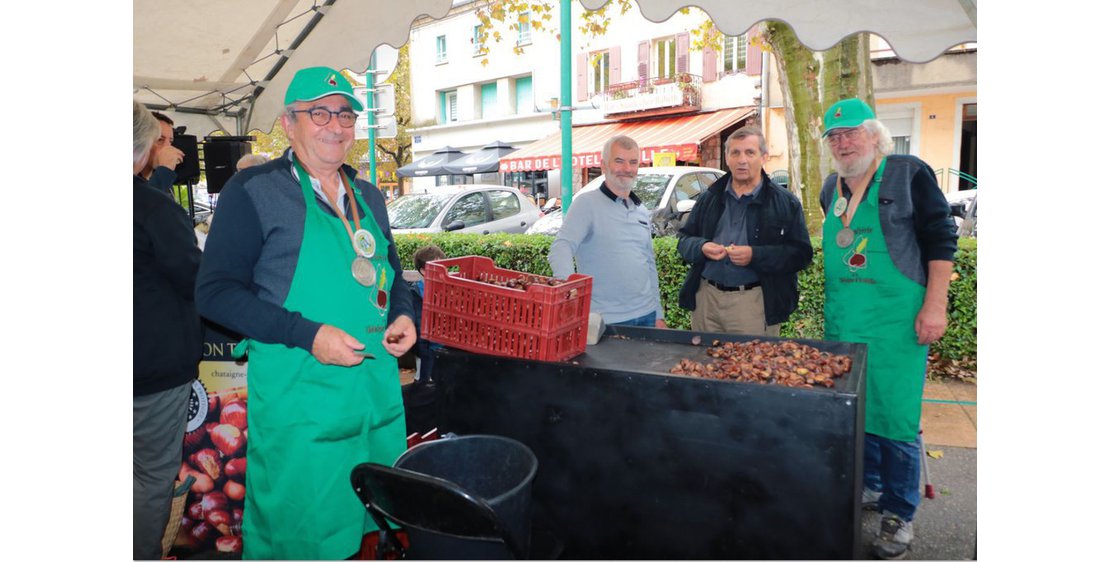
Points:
[(311, 424)]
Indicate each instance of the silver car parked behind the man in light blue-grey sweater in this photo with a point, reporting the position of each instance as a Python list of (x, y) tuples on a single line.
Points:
[(668, 193)]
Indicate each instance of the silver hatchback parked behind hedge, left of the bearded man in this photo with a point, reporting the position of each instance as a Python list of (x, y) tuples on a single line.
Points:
[(471, 208)]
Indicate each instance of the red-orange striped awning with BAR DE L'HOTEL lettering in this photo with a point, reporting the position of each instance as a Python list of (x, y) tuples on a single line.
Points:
[(680, 135)]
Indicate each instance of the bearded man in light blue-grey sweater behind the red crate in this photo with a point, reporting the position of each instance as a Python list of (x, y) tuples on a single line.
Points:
[(608, 233)]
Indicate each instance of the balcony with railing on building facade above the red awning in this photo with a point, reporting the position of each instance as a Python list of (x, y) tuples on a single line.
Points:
[(679, 94)]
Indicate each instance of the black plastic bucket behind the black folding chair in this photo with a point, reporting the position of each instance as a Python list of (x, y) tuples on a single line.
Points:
[(497, 469)]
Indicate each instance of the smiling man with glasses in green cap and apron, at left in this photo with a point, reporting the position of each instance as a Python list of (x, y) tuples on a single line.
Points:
[(301, 262)]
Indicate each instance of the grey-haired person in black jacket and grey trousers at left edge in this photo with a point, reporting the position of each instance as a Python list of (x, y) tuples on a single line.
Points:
[(167, 343)]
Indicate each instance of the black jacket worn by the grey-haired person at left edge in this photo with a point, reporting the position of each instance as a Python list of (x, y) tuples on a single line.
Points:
[(167, 328)]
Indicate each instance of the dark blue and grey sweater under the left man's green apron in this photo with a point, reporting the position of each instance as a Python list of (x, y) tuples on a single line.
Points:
[(253, 250)]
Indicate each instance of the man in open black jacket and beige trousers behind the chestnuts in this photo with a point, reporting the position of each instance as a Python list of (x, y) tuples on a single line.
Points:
[(746, 242)]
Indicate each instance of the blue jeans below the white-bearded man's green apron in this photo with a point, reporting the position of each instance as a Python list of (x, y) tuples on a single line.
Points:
[(894, 468)]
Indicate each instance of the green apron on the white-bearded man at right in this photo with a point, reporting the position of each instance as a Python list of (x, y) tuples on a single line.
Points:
[(867, 300)]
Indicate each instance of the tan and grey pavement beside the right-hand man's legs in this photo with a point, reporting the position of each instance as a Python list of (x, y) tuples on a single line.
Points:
[(945, 528)]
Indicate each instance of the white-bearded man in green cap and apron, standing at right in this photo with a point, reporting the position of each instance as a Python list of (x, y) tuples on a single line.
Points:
[(890, 244)]
